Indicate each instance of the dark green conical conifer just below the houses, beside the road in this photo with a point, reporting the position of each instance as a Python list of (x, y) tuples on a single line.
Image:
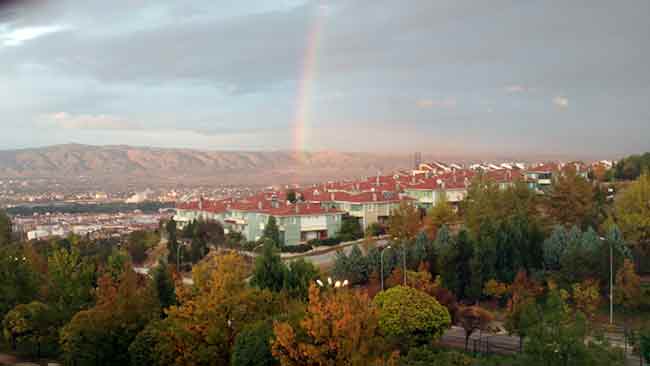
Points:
[(269, 272)]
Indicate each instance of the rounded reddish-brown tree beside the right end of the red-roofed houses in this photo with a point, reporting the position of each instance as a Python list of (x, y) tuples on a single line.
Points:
[(571, 201)]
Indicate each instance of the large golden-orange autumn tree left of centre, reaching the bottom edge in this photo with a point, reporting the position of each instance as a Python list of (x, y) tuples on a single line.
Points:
[(202, 329)]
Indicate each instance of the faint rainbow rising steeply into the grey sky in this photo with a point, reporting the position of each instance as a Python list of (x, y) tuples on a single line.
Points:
[(305, 84)]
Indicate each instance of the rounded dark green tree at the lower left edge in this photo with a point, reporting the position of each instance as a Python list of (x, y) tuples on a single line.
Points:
[(33, 327)]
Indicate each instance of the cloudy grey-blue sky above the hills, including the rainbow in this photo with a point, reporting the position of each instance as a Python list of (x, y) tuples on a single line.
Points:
[(436, 76)]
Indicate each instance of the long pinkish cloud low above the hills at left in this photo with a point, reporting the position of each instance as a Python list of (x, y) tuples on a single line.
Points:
[(90, 122)]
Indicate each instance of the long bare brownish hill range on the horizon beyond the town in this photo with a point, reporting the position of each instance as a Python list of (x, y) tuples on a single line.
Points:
[(117, 165)]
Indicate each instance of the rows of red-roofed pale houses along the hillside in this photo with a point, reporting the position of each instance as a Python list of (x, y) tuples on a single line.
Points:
[(318, 210)]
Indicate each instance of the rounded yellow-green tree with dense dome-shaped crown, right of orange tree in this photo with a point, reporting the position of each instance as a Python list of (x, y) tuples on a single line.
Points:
[(411, 316)]
